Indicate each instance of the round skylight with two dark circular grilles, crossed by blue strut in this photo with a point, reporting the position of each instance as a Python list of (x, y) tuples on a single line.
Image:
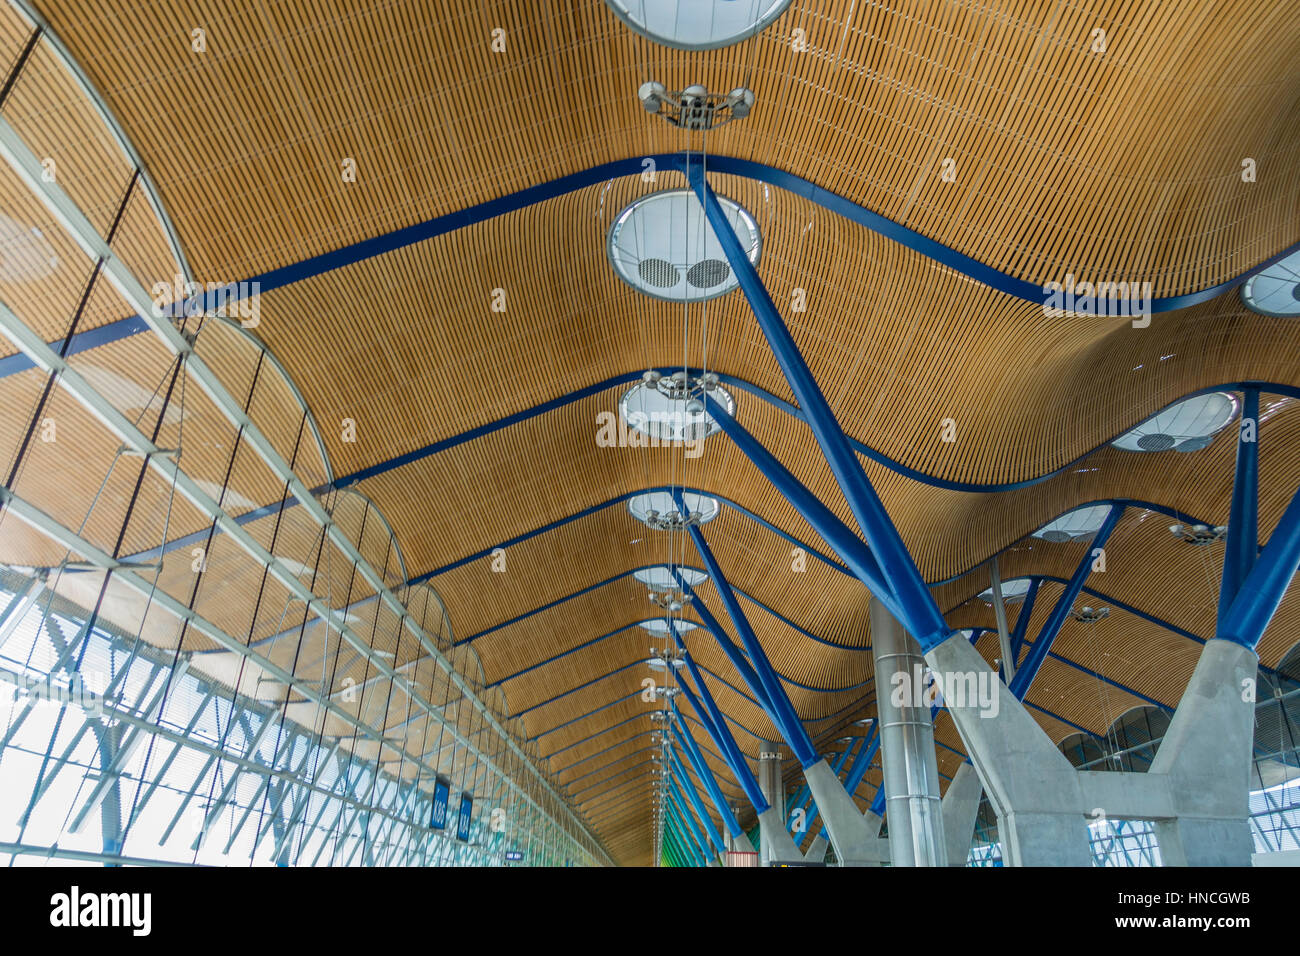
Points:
[(665, 246)]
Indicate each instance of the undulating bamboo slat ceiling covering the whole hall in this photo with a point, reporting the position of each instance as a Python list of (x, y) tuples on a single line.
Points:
[(1125, 166)]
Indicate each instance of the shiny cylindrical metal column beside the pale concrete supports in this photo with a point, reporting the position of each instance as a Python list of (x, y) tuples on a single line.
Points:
[(908, 749)]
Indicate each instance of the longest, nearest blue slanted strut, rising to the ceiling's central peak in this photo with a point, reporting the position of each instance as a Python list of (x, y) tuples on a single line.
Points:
[(921, 615)]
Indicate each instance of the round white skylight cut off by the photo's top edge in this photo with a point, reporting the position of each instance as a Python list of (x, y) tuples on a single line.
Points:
[(697, 24)]
